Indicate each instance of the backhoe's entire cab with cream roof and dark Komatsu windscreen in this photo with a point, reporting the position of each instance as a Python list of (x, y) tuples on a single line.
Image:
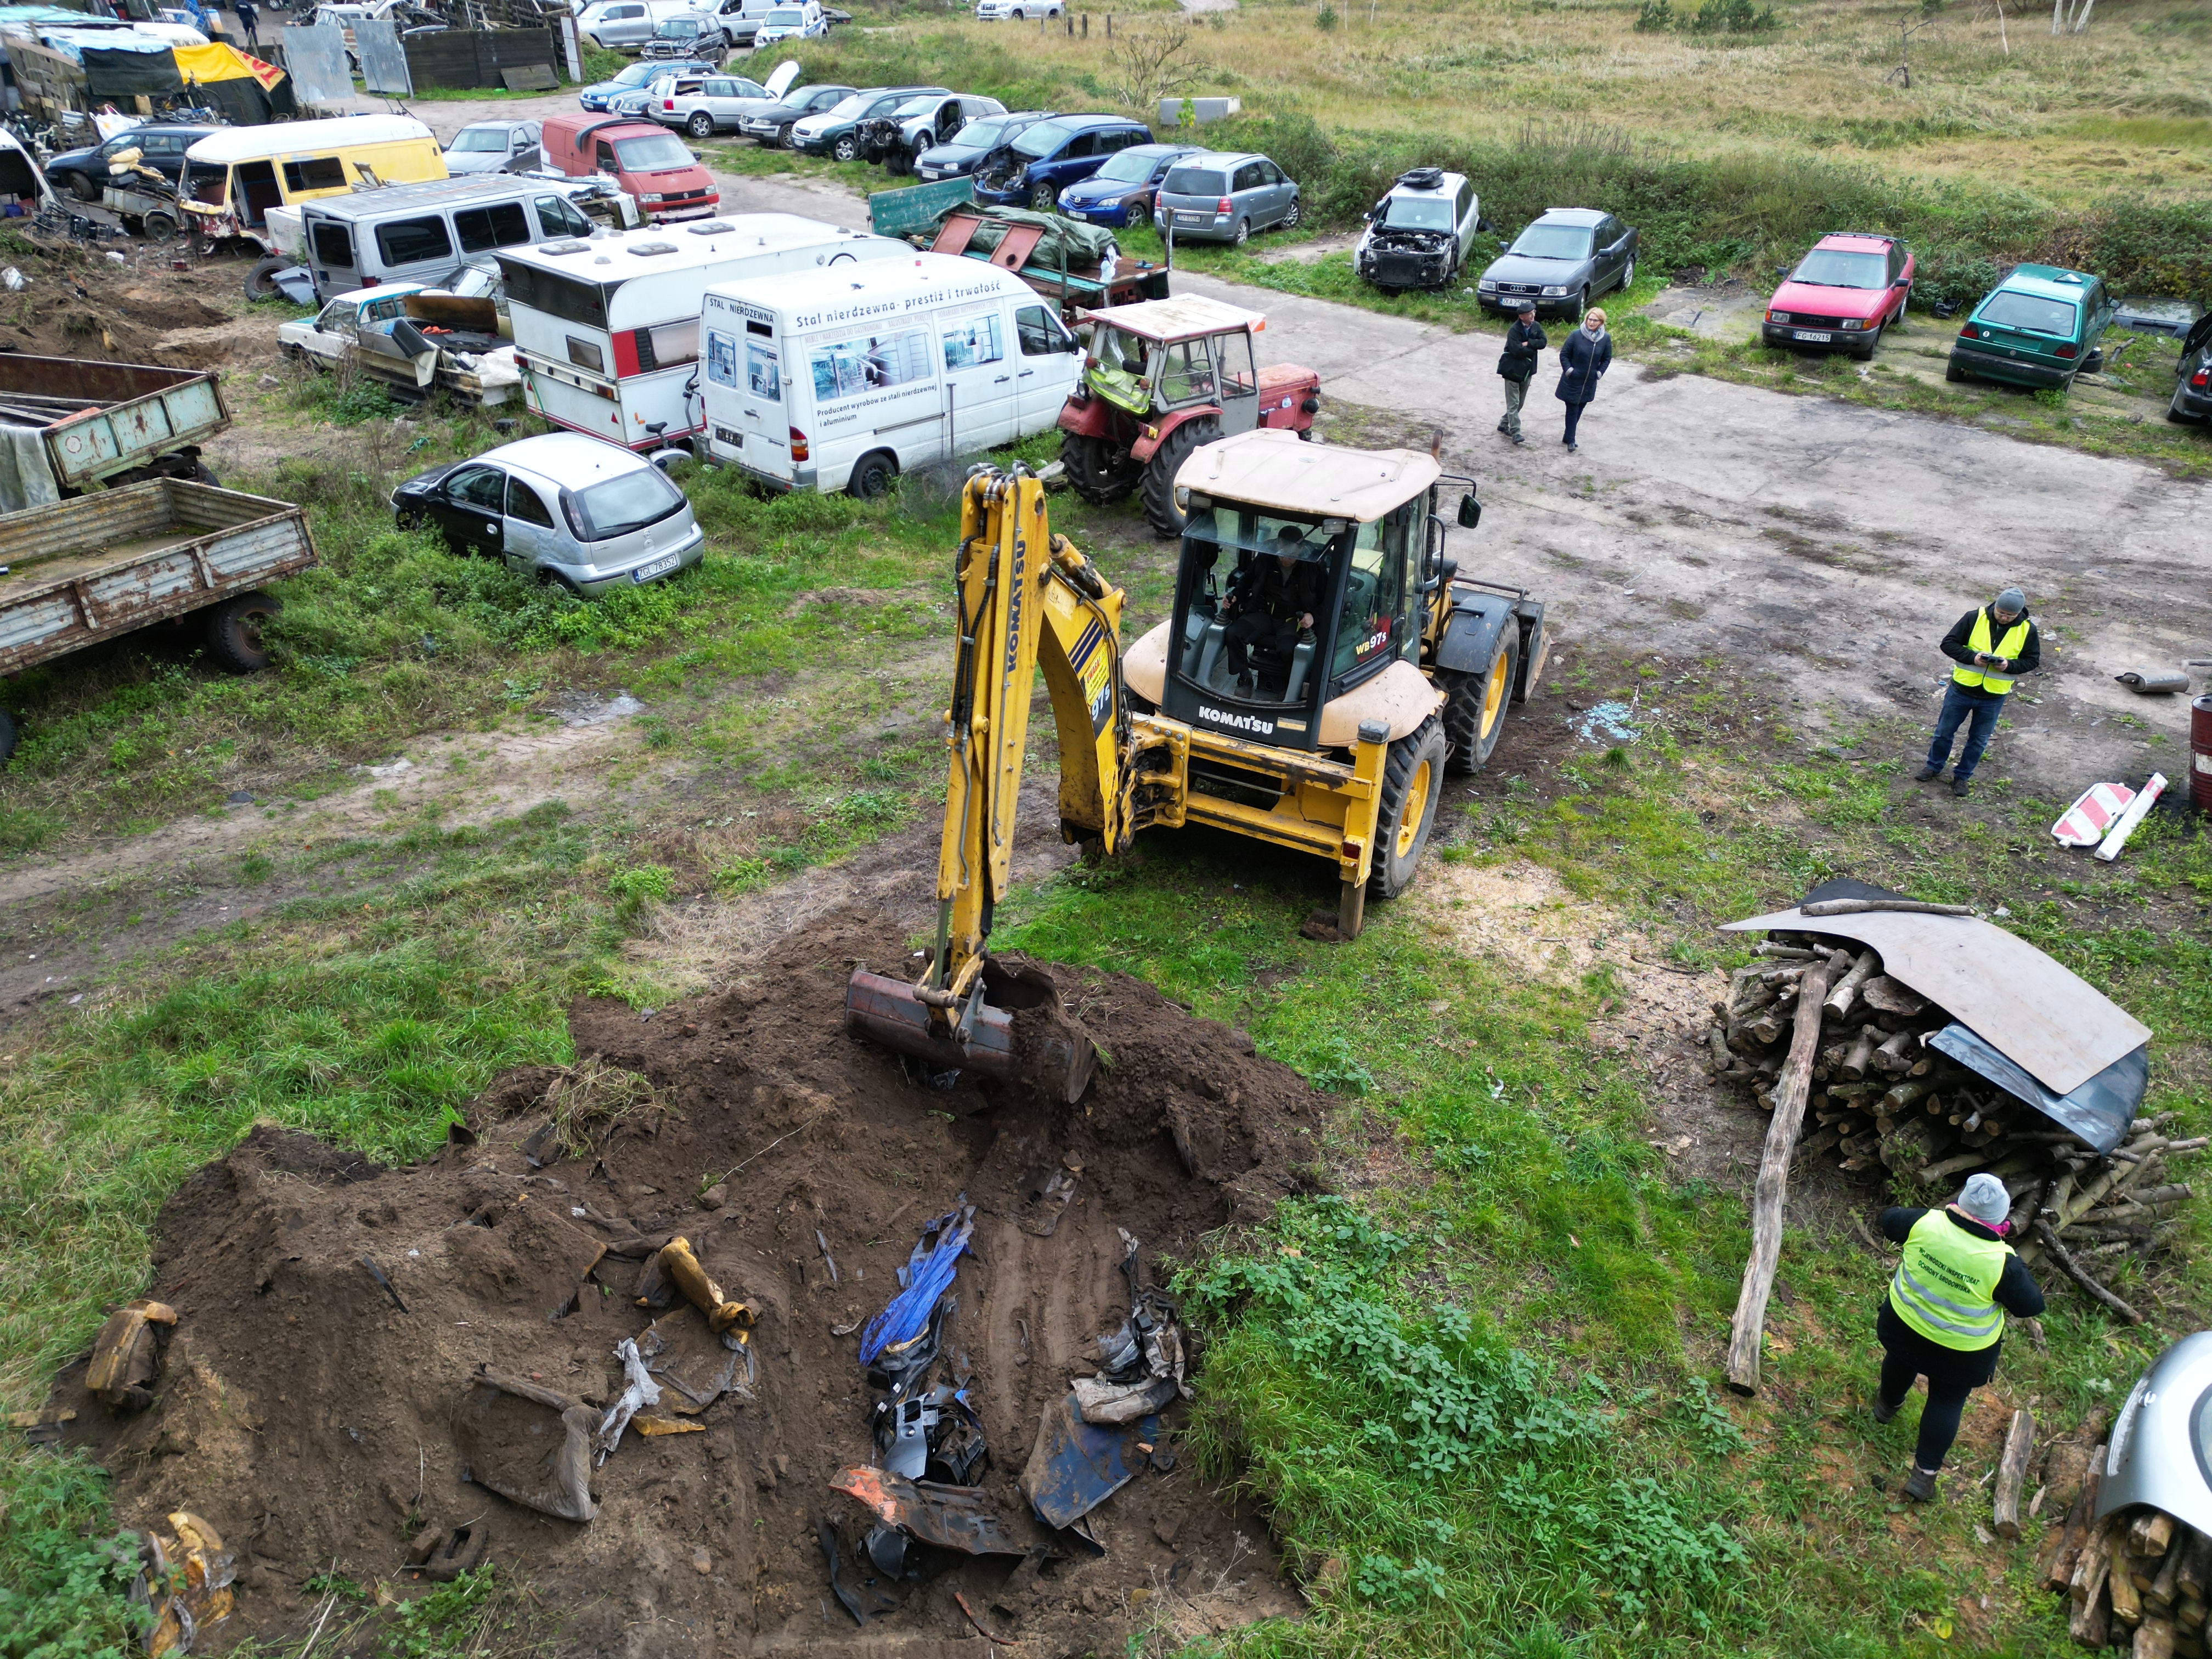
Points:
[(1302, 594)]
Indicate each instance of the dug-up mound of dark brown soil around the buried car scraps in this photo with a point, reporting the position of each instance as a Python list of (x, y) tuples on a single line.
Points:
[(313, 1421)]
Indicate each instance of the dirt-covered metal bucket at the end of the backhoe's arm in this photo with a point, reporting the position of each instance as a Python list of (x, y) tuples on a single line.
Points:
[(1010, 1027)]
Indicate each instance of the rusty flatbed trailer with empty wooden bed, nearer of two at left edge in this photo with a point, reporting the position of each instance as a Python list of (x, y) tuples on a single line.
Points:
[(90, 570)]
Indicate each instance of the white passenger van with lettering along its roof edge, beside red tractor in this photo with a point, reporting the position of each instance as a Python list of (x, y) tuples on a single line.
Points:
[(846, 379)]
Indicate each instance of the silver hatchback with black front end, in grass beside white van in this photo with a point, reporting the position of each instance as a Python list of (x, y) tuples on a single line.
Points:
[(578, 512)]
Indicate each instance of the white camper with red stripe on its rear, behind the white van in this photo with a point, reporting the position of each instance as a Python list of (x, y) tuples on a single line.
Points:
[(607, 331)]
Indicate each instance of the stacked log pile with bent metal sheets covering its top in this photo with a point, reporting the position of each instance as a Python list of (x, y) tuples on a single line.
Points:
[(1930, 1096)]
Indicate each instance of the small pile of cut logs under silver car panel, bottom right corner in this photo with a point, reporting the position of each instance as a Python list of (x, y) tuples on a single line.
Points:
[(2138, 1578)]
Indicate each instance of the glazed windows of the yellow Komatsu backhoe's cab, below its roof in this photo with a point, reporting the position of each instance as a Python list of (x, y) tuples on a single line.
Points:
[(1357, 578)]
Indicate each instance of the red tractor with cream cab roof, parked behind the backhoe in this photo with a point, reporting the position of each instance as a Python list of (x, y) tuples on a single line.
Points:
[(1162, 379)]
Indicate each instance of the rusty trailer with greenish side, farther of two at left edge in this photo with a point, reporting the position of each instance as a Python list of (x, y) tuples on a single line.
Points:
[(105, 424)]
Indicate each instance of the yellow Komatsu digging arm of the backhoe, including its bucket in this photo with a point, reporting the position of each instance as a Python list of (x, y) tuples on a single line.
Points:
[(1027, 601)]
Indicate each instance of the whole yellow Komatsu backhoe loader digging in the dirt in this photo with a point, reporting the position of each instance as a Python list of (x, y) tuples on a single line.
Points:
[(1322, 674)]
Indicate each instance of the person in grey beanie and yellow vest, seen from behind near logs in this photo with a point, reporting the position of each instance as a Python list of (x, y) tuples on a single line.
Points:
[(1945, 1313)]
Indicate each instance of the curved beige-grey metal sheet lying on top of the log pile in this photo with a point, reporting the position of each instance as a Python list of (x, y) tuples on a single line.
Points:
[(2041, 1016)]
